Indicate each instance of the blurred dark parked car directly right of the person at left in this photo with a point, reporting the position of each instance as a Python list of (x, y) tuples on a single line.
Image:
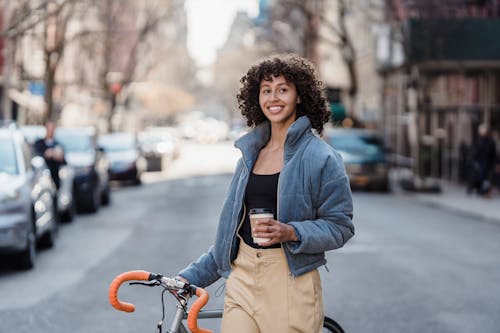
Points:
[(91, 180)]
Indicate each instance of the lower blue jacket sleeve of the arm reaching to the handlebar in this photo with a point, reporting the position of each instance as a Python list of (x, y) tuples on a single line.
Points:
[(202, 272)]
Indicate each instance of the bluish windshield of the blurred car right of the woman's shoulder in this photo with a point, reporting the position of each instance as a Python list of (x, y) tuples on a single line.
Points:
[(357, 144)]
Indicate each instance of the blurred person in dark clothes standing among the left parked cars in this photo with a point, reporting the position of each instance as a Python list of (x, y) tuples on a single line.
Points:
[(51, 151)]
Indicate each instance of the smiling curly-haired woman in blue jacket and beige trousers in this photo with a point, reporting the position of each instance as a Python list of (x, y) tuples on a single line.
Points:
[(274, 286)]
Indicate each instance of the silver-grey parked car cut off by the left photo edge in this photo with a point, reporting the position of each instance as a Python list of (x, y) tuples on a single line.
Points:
[(27, 200)]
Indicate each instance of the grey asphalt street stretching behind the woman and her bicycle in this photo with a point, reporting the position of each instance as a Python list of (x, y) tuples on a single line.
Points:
[(410, 268)]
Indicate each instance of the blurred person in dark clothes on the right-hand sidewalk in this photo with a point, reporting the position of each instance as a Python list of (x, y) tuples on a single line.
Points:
[(483, 160)]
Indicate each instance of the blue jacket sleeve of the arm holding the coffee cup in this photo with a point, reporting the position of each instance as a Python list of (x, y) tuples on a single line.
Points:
[(332, 226)]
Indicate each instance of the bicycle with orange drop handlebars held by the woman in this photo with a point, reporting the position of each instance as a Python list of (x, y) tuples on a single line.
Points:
[(182, 292)]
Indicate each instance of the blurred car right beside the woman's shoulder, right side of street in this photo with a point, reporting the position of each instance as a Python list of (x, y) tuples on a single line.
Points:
[(364, 157)]
